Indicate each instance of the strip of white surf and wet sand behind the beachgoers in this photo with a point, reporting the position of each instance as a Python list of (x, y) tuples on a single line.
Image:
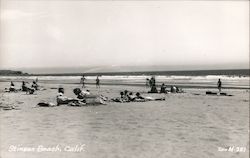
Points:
[(199, 82)]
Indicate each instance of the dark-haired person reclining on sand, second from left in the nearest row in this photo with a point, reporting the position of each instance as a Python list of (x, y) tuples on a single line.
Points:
[(89, 98)]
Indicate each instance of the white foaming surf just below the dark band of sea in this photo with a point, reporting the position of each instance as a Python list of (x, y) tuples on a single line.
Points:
[(141, 78)]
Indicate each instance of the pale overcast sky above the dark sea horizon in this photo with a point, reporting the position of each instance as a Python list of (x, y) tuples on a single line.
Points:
[(84, 33)]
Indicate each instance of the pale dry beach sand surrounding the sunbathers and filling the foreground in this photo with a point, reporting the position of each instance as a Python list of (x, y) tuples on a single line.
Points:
[(183, 126)]
